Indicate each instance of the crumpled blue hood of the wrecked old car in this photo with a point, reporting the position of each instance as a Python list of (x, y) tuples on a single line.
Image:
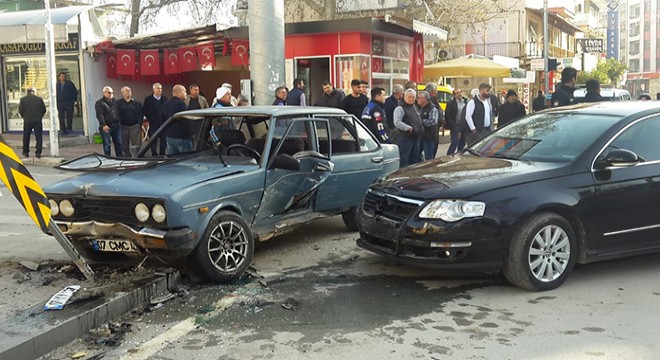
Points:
[(144, 178)]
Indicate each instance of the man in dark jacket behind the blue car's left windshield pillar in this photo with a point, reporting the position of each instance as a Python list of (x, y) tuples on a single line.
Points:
[(179, 134)]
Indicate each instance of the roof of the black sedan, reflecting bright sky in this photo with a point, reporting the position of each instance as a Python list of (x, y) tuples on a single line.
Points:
[(617, 108)]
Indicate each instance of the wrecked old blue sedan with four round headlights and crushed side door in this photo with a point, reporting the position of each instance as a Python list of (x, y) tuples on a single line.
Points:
[(254, 173)]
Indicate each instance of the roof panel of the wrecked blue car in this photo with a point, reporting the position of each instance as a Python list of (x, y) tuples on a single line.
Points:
[(262, 111)]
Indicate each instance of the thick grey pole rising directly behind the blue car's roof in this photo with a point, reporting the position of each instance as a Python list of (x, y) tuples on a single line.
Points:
[(266, 24)]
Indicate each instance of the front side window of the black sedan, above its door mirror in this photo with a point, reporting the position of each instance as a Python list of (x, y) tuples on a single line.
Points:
[(641, 138)]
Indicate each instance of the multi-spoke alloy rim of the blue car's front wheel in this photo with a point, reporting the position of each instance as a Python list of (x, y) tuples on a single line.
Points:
[(228, 246)]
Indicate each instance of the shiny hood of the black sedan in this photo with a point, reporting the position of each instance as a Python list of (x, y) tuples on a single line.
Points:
[(465, 175)]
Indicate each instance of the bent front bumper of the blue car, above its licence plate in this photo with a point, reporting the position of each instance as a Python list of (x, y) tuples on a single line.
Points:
[(177, 242)]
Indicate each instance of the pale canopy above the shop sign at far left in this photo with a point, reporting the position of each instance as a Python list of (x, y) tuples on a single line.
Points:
[(21, 27)]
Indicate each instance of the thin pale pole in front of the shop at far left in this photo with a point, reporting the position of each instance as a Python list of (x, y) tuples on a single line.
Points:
[(52, 79)]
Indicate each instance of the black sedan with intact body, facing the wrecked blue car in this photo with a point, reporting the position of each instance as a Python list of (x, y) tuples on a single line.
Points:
[(560, 187)]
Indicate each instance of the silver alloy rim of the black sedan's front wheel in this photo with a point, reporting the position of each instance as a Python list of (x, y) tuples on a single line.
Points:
[(549, 253)]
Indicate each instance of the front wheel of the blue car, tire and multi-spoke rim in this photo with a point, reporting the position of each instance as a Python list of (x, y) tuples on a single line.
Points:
[(225, 250)]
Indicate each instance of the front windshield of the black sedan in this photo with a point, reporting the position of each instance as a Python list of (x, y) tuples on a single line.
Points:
[(553, 137)]
